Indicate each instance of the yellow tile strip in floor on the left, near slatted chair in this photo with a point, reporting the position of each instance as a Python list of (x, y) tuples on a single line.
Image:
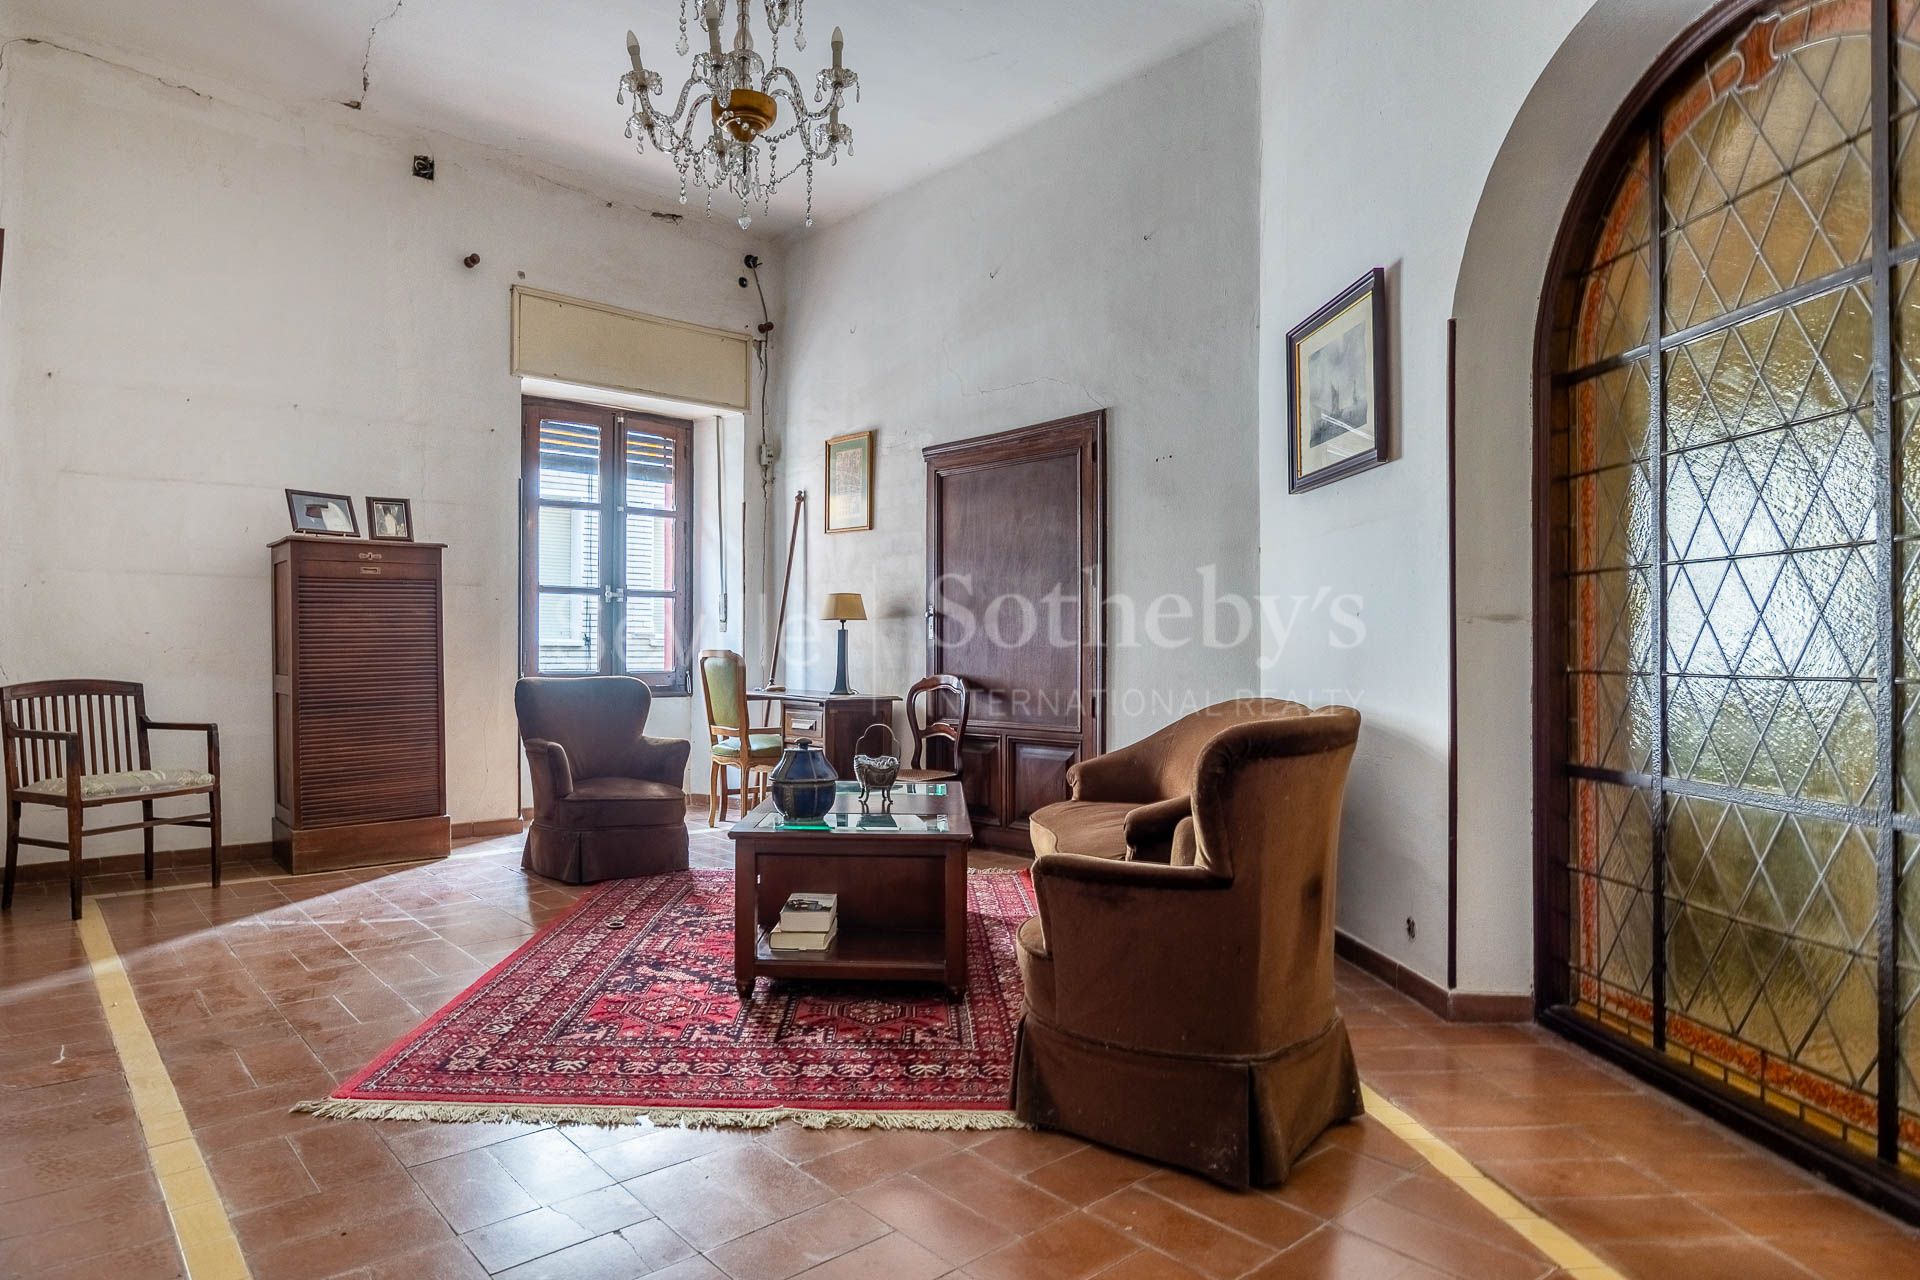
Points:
[(201, 1225)]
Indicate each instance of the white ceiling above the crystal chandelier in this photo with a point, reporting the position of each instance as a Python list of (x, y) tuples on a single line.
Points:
[(940, 82)]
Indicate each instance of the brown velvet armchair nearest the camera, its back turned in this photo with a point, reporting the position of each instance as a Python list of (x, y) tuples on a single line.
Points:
[(1186, 1012)]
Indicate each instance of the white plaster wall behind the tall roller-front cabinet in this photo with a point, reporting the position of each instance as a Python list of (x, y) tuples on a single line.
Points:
[(208, 300)]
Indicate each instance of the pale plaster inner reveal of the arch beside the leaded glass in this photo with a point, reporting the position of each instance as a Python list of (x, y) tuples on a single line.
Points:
[(1499, 306)]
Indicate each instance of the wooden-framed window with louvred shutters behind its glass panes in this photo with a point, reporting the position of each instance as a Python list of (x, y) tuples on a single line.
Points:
[(606, 544)]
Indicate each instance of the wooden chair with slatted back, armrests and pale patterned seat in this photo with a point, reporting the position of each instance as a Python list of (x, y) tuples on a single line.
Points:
[(84, 744)]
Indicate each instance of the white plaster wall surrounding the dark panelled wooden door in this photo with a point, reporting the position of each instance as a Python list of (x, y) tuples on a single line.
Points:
[(1103, 260)]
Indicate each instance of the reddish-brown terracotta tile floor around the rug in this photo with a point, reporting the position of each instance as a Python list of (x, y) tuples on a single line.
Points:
[(272, 991)]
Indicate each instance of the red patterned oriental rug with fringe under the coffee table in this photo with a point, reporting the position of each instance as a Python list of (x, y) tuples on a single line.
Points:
[(625, 1008)]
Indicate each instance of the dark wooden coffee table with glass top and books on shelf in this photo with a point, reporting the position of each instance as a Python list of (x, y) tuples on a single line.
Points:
[(900, 874)]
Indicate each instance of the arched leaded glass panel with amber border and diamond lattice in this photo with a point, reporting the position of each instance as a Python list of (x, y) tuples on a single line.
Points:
[(1729, 613)]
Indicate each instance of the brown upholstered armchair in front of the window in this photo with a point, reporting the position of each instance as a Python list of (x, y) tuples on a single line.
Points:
[(608, 799)]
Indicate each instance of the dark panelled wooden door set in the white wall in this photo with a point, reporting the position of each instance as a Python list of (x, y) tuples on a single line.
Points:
[(1017, 534)]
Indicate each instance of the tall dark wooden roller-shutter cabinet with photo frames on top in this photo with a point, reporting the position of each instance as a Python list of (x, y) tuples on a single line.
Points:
[(358, 705)]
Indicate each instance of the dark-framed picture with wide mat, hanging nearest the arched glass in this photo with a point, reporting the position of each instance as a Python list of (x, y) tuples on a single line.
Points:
[(1337, 387)]
